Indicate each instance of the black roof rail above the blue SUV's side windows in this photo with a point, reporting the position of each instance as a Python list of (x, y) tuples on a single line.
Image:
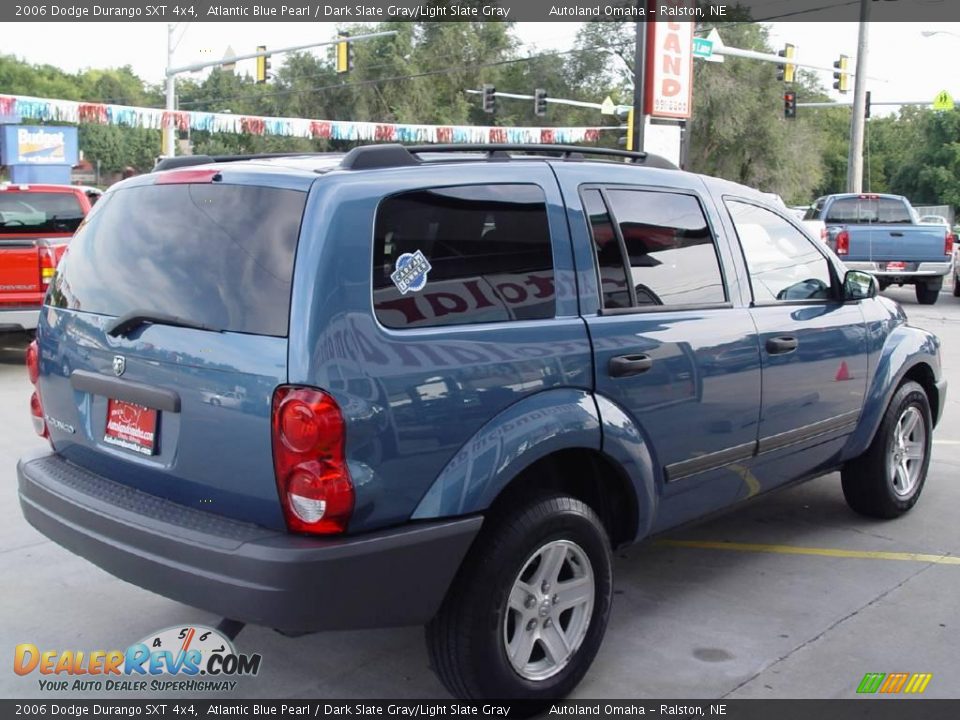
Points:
[(396, 155)]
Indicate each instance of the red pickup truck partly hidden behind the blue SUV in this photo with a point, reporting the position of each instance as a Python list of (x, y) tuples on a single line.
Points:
[(36, 223)]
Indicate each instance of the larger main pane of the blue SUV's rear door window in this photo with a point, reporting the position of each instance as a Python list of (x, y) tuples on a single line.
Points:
[(673, 260)]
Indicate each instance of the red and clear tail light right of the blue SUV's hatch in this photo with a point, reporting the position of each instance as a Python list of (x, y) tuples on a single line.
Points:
[(309, 461)]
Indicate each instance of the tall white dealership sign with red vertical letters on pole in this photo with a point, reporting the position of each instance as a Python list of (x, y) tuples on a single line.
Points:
[(669, 77)]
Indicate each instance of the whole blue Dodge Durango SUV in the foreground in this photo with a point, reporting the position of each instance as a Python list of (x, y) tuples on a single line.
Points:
[(437, 385)]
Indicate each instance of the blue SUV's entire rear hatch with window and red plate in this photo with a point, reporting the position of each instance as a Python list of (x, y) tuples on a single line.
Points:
[(165, 335)]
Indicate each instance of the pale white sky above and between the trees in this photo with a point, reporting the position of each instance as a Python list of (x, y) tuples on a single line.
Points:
[(902, 64)]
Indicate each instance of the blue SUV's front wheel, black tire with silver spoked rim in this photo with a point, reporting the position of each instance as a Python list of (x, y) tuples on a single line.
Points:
[(887, 479)]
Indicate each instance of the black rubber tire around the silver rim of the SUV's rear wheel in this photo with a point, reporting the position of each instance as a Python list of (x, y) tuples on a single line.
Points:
[(467, 639)]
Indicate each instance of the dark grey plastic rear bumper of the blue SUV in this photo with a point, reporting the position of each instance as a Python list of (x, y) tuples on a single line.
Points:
[(240, 571)]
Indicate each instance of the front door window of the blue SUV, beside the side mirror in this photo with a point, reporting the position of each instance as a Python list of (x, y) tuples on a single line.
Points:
[(783, 263)]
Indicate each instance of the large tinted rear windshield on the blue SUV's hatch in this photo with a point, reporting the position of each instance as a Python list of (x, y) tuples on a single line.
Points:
[(221, 255)]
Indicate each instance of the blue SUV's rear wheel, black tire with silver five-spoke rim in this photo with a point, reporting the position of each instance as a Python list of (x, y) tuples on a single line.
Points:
[(529, 608)]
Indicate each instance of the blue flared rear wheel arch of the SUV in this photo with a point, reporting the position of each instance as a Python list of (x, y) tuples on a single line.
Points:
[(554, 440)]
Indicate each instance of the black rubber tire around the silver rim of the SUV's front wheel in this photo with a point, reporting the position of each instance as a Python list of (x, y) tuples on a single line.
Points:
[(870, 485)]
